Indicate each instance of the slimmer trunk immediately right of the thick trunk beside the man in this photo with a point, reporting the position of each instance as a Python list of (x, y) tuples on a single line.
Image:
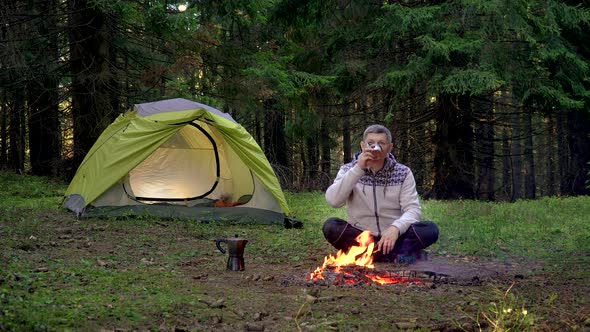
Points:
[(485, 137)]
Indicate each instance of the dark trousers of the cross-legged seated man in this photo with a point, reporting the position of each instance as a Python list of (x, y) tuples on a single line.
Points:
[(342, 236)]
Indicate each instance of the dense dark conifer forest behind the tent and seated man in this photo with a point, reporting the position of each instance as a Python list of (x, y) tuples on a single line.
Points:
[(487, 99)]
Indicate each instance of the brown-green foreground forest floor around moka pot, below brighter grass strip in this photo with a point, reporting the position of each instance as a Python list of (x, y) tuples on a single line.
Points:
[(60, 273)]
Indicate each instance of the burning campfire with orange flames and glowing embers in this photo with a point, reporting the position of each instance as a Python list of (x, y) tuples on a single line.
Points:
[(355, 267)]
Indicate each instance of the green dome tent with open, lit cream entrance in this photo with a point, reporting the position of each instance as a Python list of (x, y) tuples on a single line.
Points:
[(177, 158)]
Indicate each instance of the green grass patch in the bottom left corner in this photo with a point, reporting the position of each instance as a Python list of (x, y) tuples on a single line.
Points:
[(77, 293)]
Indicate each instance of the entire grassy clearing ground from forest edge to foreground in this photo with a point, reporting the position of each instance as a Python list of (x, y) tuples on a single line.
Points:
[(58, 273)]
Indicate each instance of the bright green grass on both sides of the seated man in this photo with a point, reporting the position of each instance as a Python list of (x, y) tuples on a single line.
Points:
[(547, 228)]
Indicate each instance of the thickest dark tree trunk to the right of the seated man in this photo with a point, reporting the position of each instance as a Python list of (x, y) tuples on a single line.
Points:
[(453, 160)]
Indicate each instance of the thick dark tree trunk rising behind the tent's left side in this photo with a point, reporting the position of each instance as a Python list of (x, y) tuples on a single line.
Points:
[(90, 47)]
